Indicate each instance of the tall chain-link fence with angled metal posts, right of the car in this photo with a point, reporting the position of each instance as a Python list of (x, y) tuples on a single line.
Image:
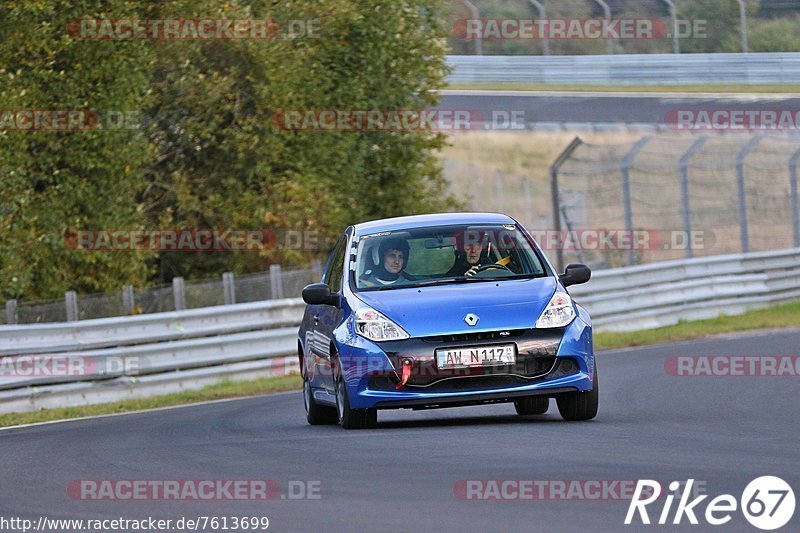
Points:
[(668, 197)]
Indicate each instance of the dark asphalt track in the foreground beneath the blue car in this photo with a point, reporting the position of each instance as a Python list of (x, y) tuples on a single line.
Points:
[(401, 477)]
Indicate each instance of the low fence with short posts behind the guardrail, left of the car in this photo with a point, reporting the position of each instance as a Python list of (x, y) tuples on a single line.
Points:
[(229, 289)]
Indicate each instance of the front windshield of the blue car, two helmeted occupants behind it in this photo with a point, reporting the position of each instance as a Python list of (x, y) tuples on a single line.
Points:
[(444, 255)]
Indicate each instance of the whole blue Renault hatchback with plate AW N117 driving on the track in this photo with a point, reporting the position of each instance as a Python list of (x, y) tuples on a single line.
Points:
[(443, 310)]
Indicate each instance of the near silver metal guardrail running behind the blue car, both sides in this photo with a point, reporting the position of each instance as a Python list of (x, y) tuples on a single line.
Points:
[(189, 349)]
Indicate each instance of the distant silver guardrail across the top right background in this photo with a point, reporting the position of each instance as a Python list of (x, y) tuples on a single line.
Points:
[(628, 69)]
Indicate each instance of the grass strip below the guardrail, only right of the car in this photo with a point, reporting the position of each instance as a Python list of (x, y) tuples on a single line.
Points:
[(782, 316)]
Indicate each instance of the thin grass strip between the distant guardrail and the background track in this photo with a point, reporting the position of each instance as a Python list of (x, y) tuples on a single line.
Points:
[(707, 88)]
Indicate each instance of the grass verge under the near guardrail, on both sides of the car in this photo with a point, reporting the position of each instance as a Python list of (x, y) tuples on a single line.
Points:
[(782, 316)]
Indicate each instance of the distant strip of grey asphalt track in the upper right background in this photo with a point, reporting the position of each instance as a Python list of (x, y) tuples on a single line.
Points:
[(649, 109)]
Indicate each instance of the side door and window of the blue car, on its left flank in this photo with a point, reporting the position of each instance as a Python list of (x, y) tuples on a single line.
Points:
[(324, 319)]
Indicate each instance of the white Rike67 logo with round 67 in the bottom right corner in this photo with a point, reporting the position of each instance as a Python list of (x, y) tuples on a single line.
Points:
[(767, 503)]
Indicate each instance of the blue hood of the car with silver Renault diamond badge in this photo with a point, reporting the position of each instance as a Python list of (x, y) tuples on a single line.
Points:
[(440, 310)]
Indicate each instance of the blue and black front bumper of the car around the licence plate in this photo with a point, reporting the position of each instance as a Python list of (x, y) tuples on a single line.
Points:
[(549, 362)]
